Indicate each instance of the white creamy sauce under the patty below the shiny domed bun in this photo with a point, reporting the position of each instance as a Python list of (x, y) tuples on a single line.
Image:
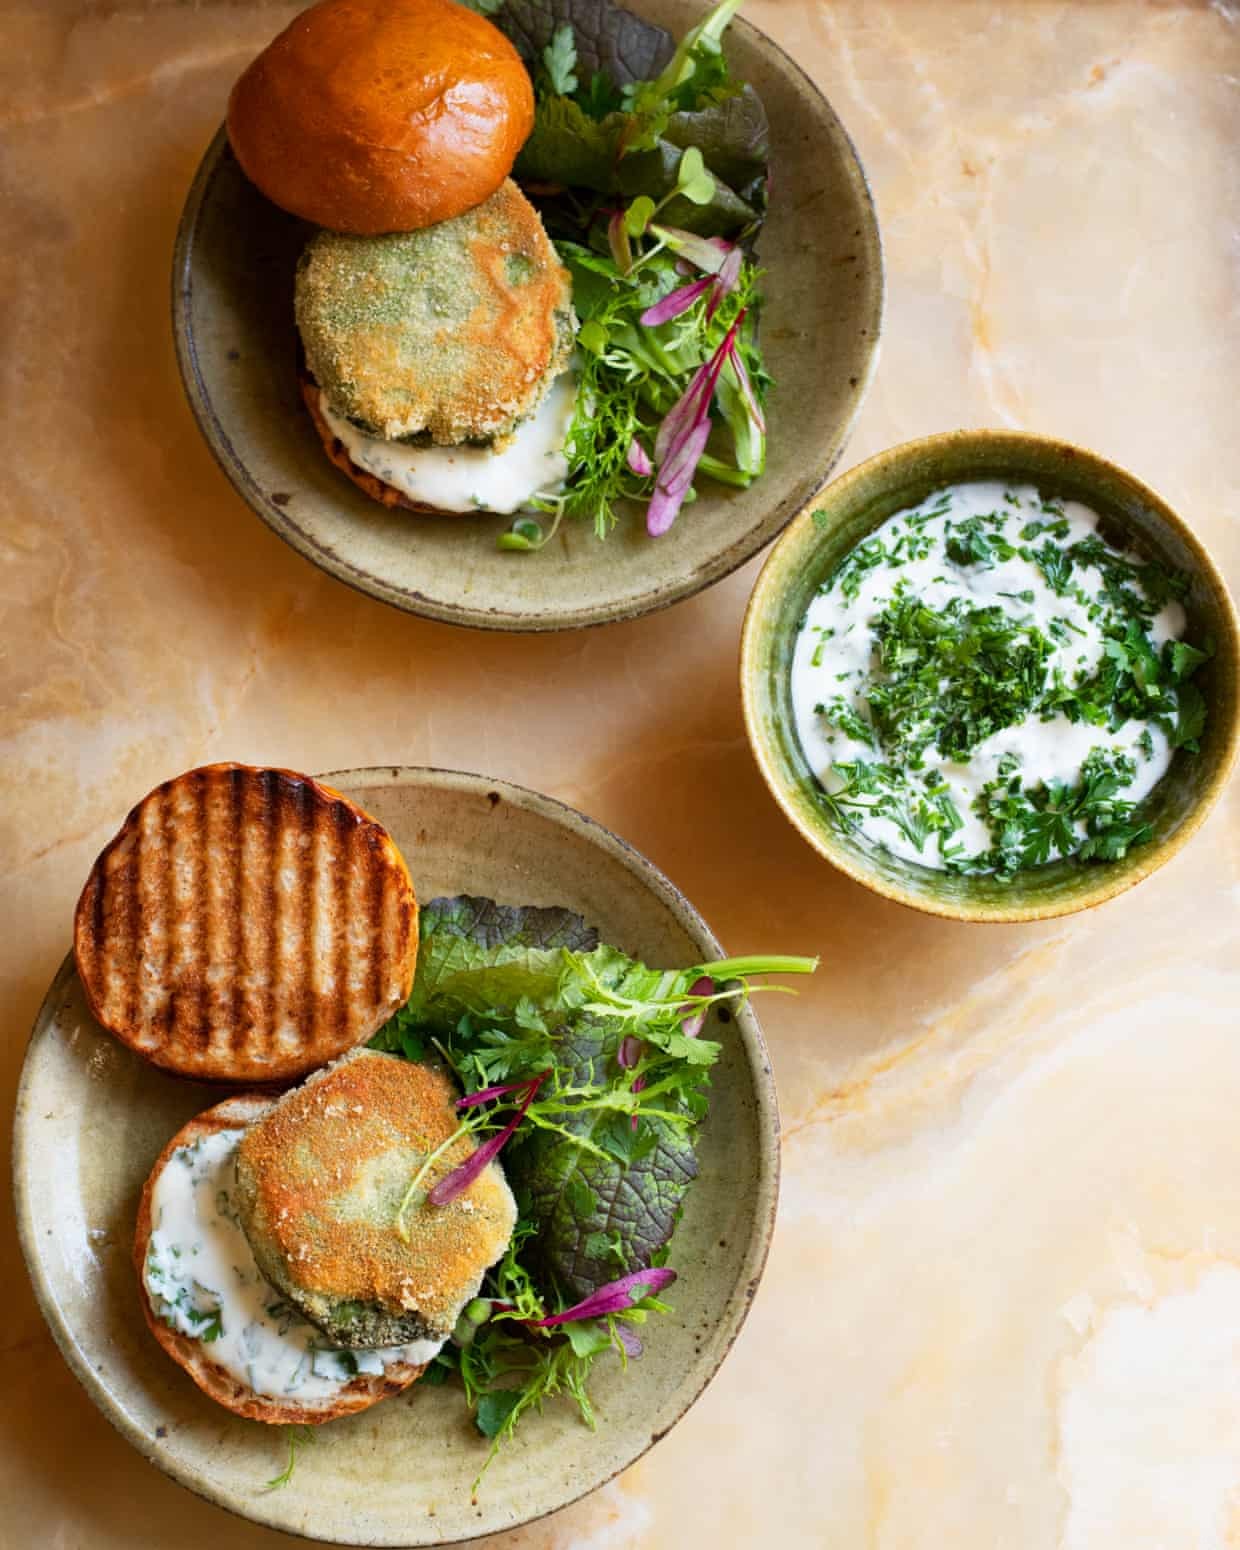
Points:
[(474, 478)]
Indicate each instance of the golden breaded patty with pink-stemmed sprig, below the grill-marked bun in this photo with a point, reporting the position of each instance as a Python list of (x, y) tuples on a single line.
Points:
[(320, 1183)]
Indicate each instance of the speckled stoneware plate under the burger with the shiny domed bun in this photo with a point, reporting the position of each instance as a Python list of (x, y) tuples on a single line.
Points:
[(236, 345)]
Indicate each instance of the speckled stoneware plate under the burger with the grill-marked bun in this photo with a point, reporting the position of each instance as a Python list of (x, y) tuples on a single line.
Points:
[(94, 1118)]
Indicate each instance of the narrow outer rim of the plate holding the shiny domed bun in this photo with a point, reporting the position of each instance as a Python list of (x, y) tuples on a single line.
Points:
[(336, 565)]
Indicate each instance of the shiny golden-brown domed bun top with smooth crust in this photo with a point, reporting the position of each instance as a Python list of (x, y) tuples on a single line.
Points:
[(382, 115)]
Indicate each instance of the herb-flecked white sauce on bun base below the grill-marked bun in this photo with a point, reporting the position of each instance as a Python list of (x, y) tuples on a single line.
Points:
[(204, 1283)]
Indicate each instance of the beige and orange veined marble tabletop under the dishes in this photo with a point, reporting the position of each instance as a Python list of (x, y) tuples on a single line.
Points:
[(1004, 1304)]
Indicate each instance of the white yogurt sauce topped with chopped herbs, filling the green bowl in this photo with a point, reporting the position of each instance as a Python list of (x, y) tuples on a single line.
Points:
[(985, 684)]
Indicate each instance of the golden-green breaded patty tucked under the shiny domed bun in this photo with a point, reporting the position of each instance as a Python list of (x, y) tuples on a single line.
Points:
[(452, 334)]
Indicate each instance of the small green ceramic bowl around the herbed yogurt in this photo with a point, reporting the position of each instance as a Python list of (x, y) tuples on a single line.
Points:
[(853, 508)]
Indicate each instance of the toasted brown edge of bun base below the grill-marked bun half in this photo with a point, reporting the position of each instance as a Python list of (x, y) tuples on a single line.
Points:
[(359, 1394)]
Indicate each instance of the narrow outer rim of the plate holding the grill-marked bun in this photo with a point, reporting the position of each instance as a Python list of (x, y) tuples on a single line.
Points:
[(766, 1118)]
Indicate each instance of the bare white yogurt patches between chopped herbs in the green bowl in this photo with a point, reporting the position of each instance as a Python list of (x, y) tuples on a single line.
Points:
[(836, 656)]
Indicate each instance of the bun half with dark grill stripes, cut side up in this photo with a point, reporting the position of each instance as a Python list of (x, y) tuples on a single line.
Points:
[(246, 926)]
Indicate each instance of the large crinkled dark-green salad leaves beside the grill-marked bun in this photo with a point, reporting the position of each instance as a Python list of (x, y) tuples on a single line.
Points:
[(514, 988)]
